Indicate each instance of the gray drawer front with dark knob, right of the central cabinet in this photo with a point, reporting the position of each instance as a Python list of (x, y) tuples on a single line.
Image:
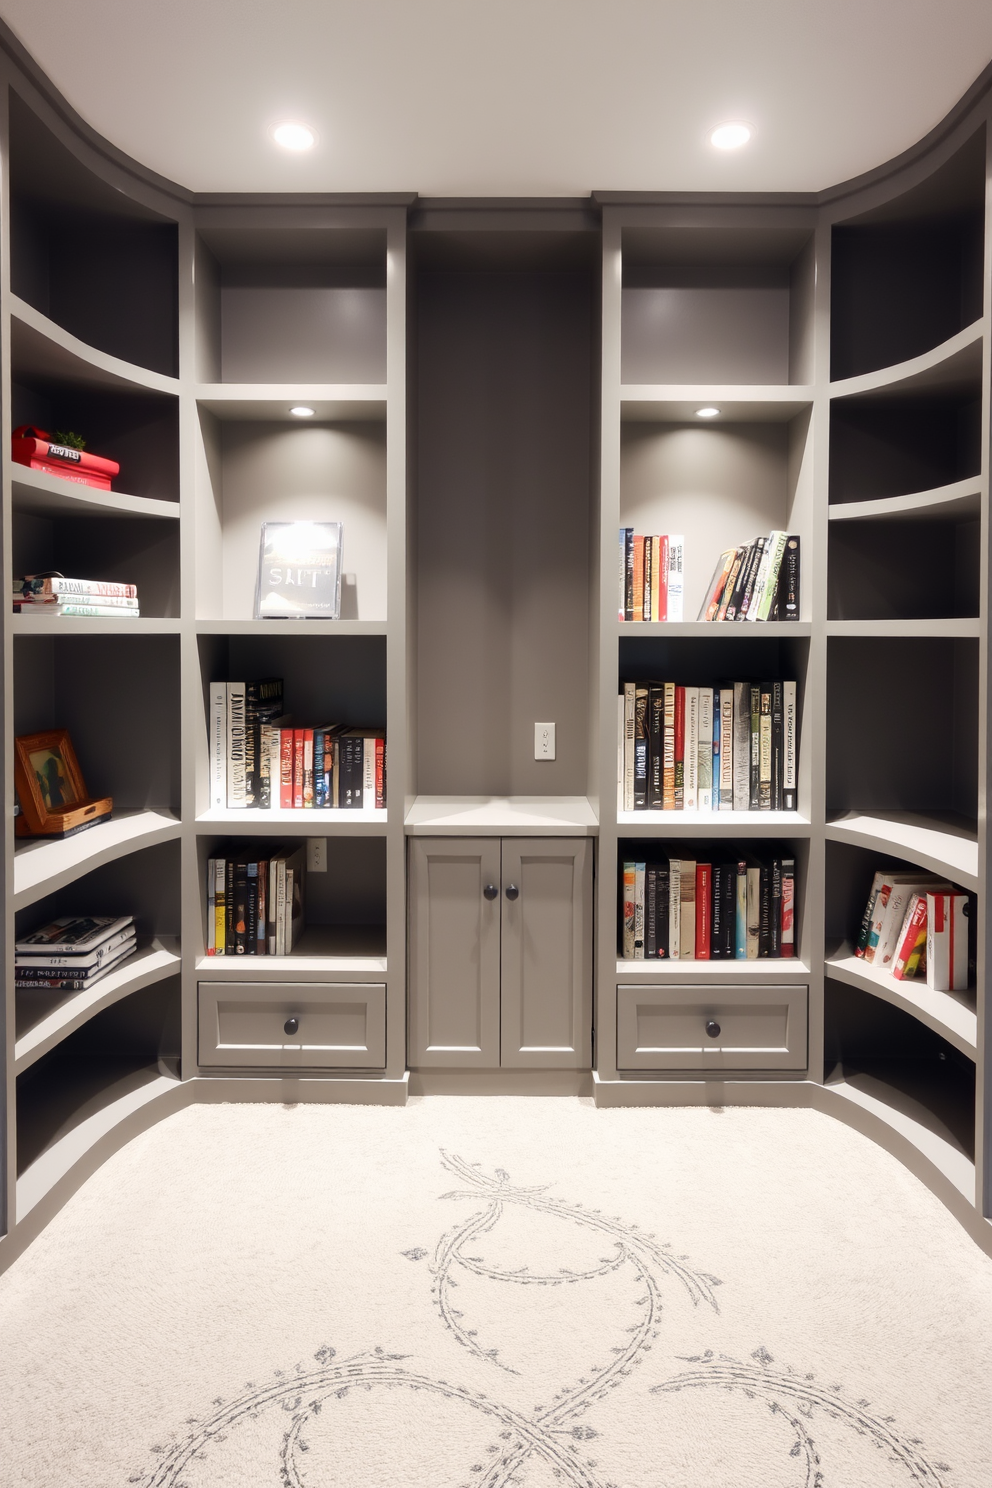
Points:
[(750, 1029)]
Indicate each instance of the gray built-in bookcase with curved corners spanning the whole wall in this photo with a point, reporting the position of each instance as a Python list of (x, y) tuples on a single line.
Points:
[(499, 386)]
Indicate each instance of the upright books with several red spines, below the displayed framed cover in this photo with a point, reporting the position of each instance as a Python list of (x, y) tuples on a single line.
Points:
[(260, 760)]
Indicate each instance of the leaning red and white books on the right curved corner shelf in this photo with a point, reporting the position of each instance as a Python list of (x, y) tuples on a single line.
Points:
[(915, 926)]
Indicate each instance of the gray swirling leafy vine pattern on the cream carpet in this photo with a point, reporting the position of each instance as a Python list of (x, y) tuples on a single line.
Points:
[(555, 1437)]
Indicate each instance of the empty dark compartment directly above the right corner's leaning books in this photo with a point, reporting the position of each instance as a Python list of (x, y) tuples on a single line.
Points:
[(921, 697)]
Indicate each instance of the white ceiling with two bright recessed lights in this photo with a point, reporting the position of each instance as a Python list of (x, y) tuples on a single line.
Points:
[(509, 97)]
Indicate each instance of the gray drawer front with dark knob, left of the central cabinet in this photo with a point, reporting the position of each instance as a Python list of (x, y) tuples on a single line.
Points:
[(341, 1026)]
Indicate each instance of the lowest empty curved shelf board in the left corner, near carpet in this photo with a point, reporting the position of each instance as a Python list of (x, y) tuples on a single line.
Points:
[(109, 1114)]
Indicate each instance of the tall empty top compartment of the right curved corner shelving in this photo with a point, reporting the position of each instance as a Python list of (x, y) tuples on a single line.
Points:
[(908, 278)]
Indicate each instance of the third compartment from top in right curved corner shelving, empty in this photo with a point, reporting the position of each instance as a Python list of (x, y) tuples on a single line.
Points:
[(889, 571)]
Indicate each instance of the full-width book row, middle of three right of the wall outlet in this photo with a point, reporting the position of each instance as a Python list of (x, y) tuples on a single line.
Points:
[(707, 749)]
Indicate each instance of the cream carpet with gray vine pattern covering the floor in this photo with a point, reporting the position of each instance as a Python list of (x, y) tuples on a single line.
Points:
[(497, 1294)]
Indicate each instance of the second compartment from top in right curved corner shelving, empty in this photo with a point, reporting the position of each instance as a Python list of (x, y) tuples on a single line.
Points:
[(905, 443)]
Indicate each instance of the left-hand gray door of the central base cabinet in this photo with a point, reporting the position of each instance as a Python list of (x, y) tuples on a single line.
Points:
[(454, 953)]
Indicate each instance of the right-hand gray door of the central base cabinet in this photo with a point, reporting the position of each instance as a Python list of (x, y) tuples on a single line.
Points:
[(547, 955)]
